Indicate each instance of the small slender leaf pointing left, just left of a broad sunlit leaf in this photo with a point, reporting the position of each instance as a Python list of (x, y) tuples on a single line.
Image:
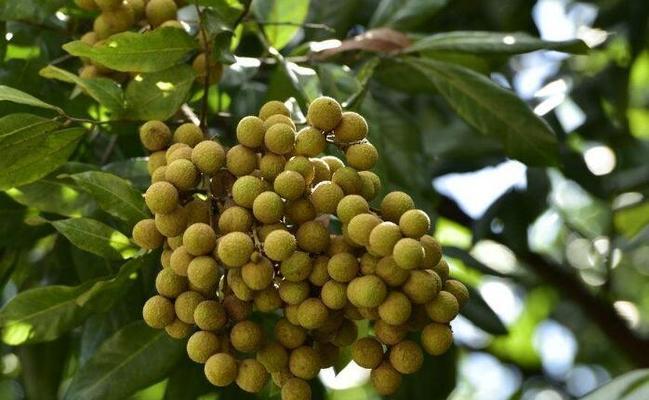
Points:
[(106, 91)]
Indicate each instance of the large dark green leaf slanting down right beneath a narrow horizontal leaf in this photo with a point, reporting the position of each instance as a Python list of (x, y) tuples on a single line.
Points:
[(493, 110)]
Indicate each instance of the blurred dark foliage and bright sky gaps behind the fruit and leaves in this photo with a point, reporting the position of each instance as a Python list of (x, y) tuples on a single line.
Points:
[(552, 237)]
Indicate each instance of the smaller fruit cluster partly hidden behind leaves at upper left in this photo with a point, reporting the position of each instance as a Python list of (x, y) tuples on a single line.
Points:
[(116, 16)]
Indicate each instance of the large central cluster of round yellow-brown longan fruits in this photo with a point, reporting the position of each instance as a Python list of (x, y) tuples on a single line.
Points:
[(246, 231)]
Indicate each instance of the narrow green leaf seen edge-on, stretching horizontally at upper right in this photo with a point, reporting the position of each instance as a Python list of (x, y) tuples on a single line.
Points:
[(478, 42)]
